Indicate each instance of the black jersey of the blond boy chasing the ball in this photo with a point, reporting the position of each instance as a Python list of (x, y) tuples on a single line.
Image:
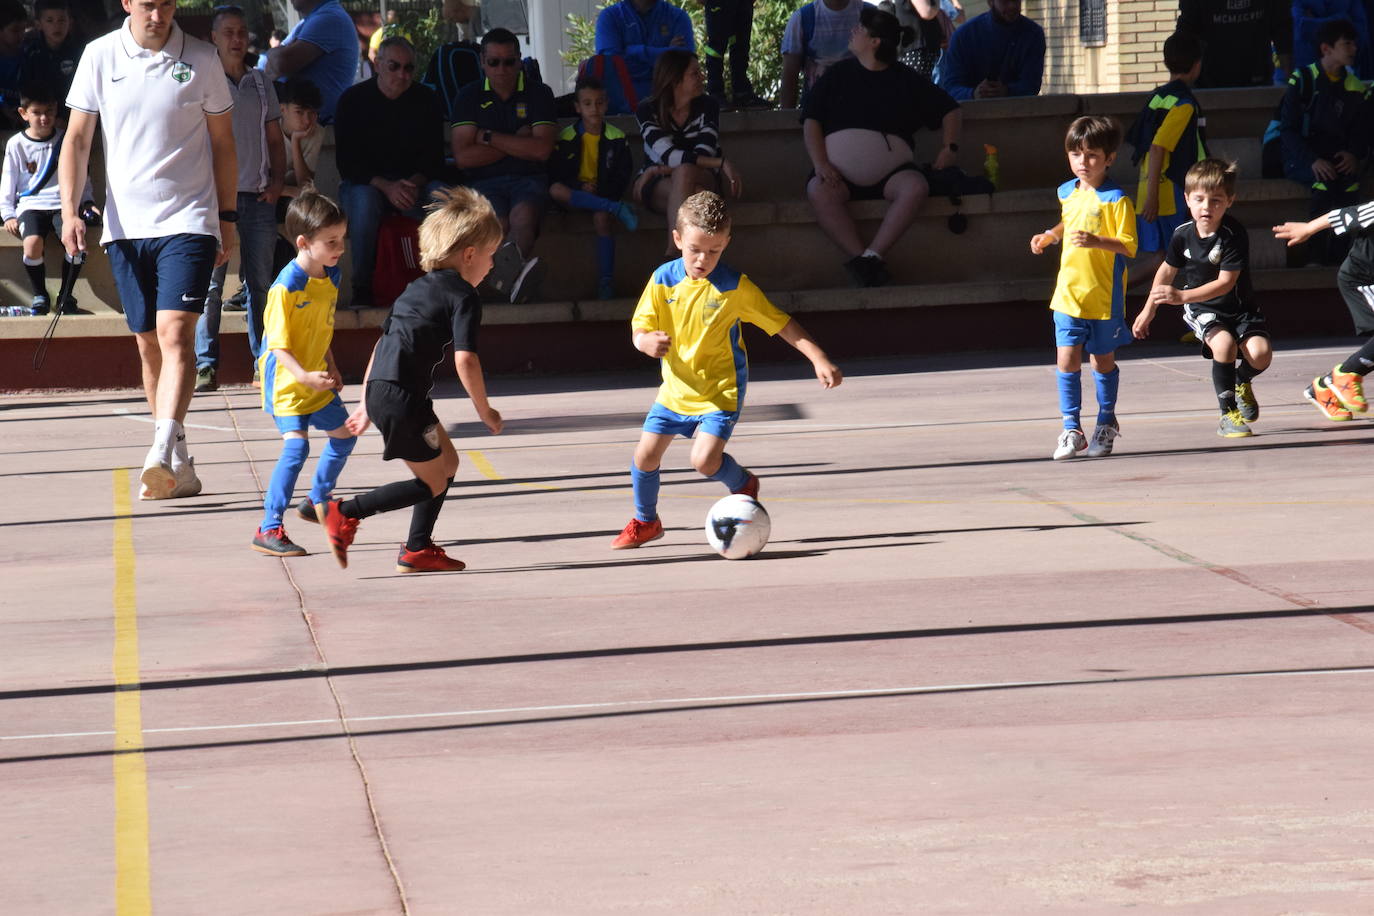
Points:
[(438, 311)]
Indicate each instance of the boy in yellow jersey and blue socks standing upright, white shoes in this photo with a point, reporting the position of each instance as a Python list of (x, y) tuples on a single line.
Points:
[(1099, 231)]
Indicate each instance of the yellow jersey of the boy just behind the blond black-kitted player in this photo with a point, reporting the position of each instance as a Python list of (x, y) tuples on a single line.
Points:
[(299, 318)]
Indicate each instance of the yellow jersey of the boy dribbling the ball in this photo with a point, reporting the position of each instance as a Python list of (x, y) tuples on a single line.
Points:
[(707, 367)]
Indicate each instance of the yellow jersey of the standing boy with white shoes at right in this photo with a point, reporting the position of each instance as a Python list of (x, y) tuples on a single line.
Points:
[(1092, 281)]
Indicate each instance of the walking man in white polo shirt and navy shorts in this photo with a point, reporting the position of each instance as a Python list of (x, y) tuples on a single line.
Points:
[(163, 105)]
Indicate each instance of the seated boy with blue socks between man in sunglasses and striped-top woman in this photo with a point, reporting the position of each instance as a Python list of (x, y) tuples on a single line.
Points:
[(590, 171)]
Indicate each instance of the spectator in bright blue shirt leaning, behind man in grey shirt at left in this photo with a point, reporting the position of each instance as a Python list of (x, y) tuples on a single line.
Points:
[(324, 49)]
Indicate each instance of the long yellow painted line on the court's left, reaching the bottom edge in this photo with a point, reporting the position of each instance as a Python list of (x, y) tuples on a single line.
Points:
[(133, 895)]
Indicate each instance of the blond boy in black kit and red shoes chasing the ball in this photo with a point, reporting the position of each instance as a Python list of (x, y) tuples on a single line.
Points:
[(458, 241)]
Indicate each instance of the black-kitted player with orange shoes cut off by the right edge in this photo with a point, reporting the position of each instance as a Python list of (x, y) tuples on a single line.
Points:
[(1340, 393)]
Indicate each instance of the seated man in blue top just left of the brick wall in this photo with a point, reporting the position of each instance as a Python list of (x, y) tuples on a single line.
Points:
[(994, 56)]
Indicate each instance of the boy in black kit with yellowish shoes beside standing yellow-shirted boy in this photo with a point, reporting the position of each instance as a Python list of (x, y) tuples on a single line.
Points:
[(1207, 271)]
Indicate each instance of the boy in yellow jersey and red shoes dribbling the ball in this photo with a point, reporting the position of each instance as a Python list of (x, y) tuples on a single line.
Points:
[(692, 318)]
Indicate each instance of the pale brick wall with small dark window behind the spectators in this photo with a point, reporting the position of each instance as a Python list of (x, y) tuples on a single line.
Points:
[(1131, 60)]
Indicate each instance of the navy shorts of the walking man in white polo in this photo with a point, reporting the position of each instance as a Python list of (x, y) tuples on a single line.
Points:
[(171, 274)]
